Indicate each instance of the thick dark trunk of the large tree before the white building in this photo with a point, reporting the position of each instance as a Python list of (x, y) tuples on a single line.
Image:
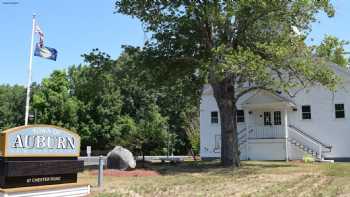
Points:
[(224, 93)]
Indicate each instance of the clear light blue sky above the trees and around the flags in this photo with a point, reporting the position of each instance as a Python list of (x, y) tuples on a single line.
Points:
[(75, 27)]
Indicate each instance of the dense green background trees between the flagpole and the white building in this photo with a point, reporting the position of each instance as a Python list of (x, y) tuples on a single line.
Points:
[(115, 102)]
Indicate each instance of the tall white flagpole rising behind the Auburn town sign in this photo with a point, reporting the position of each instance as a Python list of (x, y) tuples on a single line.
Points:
[(30, 73)]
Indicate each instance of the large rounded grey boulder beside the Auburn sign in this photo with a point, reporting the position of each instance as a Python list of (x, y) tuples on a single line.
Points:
[(120, 158)]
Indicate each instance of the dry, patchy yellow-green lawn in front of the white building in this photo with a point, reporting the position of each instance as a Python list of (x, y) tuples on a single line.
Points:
[(252, 179)]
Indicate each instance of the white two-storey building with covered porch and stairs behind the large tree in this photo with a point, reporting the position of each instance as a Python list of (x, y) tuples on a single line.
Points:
[(272, 126)]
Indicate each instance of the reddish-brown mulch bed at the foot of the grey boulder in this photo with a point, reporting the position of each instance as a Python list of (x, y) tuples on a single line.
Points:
[(128, 173)]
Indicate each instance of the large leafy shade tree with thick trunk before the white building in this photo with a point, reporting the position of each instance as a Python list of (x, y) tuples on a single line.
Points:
[(238, 45)]
